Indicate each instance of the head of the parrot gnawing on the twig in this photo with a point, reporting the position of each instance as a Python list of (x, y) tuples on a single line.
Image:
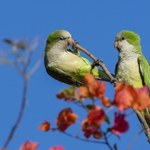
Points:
[(62, 37)]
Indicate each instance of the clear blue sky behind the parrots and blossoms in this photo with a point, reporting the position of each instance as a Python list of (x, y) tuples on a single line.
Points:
[(94, 24)]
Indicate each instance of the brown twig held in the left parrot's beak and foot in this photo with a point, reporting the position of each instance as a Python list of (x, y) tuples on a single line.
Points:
[(102, 65)]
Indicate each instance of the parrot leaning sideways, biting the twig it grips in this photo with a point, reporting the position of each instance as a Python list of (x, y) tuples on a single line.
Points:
[(67, 65)]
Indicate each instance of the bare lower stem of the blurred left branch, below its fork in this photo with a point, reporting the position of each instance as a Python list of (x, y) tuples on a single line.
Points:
[(20, 115)]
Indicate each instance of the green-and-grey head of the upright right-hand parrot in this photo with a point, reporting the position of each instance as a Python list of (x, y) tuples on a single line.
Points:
[(127, 41)]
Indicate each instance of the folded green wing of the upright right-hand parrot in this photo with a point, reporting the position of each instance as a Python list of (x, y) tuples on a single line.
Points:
[(144, 70)]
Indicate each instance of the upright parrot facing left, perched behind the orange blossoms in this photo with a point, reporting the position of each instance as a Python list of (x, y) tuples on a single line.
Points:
[(132, 67)]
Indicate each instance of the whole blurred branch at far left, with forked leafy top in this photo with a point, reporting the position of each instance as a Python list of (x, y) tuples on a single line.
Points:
[(23, 54)]
